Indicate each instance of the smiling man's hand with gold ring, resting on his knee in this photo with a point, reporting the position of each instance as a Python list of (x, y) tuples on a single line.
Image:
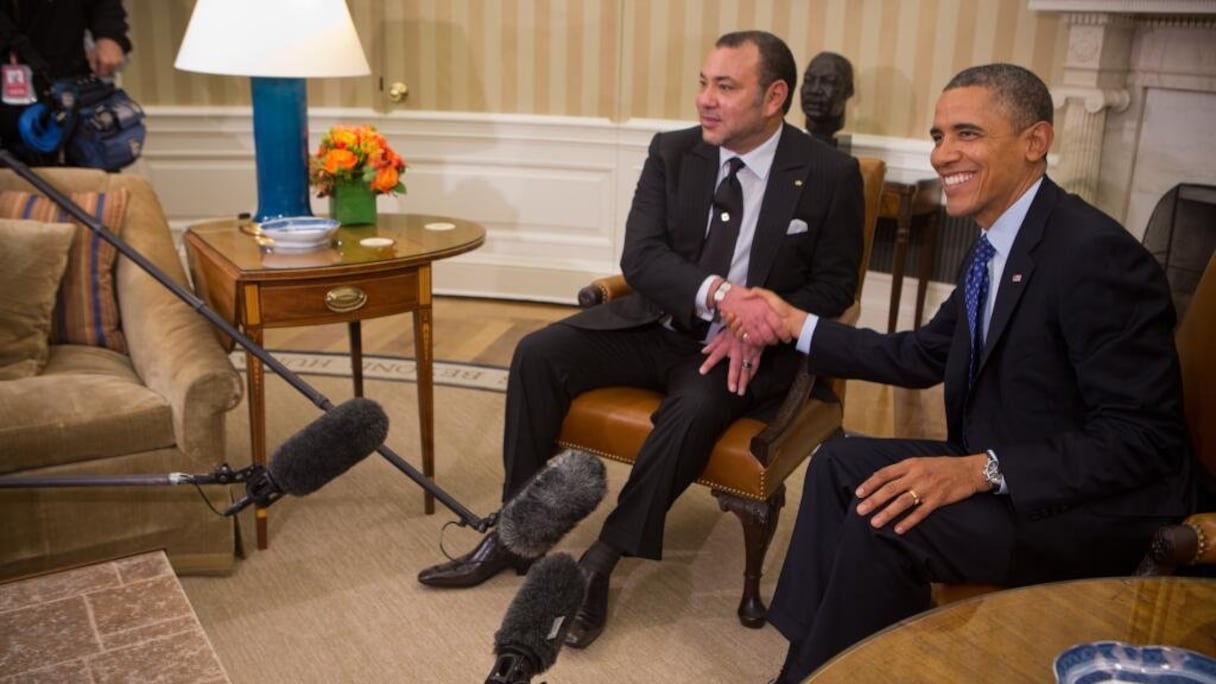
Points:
[(920, 486)]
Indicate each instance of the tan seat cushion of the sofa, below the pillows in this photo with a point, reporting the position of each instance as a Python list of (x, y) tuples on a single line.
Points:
[(88, 403)]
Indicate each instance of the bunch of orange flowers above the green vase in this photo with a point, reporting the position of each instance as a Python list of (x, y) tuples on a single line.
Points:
[(361, 155)]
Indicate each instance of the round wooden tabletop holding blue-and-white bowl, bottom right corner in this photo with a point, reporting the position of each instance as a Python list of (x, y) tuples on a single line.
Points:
[(1016, 635)]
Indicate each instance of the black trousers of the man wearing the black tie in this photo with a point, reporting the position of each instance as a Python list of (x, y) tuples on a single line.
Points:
[(558, 363)]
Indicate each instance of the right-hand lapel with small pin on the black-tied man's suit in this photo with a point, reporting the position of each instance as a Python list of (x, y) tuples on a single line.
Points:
[(792, 166)]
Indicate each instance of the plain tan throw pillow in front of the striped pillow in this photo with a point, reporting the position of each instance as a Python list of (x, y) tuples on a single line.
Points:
[(32, 262)]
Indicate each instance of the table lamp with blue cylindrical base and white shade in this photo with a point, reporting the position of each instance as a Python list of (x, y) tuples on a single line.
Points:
[(278, 44)]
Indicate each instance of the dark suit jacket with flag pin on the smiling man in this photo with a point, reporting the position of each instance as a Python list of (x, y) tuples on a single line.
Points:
[(1079, 390)]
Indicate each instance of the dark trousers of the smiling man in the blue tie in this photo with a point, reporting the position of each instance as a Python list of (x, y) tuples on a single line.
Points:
[(843, 580)]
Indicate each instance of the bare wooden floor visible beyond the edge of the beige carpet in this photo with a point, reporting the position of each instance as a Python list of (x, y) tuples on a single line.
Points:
[(486, 332)]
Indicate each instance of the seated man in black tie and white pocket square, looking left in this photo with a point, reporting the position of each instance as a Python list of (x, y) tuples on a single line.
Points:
[(800, 234)]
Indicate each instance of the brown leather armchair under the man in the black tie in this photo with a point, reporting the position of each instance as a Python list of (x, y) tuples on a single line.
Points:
[(751, 462)]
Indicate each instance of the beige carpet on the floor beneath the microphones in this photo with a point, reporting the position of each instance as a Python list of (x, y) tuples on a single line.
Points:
[(335, 598)]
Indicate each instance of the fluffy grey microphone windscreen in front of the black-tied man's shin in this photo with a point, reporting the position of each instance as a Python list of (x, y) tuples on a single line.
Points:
[(549, 506)]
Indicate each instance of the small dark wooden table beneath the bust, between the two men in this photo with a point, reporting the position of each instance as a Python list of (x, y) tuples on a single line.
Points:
[(911, 199)]
